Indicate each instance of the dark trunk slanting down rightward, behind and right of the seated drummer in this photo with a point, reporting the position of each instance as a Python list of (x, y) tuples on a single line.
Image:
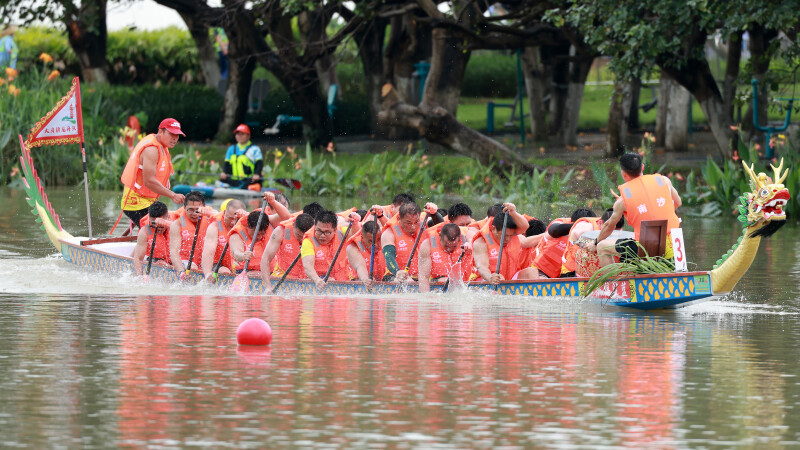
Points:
[(695, 75)]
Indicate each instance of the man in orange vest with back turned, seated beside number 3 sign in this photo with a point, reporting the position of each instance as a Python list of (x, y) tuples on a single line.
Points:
[(642, 197)]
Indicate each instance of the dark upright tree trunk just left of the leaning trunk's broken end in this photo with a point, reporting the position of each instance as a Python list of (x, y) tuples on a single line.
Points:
[(370, 46)]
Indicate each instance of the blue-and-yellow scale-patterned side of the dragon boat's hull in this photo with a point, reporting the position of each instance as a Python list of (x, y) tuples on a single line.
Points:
[(641, 292)]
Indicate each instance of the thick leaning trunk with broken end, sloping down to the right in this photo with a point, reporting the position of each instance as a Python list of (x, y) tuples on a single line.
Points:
[(437, 125)]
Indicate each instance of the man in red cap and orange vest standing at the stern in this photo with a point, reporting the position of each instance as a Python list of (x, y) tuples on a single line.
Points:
[(146, 175)]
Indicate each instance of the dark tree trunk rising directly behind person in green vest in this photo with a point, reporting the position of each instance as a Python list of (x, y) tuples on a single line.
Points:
[(240, 77)]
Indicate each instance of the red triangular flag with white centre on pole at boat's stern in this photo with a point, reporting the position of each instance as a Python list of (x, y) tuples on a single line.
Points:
[(62, 125)]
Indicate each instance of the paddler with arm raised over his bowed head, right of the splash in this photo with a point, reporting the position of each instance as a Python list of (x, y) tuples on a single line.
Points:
[(486, 246)]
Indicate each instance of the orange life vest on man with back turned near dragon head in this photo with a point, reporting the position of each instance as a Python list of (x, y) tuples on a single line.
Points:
[(648, 197)]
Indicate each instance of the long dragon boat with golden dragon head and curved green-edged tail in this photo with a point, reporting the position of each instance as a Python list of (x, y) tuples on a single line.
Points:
[(761, 214)]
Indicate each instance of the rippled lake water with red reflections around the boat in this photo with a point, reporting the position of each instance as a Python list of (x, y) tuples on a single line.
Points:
[(91, 360)]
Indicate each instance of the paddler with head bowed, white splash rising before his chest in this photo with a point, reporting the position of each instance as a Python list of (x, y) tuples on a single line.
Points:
[(439, 257)]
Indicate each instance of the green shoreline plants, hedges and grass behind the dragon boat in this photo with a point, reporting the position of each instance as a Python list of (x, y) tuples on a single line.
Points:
[(708, 190)]
